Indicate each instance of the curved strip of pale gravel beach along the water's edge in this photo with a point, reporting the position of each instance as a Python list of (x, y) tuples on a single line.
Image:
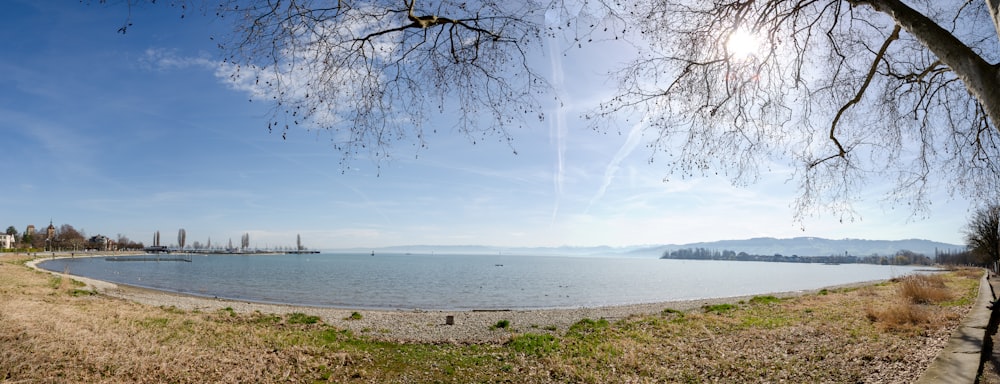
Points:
[(416, 325)]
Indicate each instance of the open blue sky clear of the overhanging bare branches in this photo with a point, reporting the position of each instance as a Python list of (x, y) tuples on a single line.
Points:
[(136, 133)]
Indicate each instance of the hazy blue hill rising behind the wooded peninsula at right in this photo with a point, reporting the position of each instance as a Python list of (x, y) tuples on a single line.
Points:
[(815, 246)]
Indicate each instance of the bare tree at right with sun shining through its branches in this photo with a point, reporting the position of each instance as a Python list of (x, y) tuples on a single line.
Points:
[(847, 93)]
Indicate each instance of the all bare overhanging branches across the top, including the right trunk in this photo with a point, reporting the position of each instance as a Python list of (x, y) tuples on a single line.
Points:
[(845, 93)]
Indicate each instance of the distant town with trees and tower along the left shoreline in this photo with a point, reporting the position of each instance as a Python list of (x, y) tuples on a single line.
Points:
[(66, 238)]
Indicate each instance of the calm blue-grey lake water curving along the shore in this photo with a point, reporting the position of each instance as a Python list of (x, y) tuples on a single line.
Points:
[(461, 282)]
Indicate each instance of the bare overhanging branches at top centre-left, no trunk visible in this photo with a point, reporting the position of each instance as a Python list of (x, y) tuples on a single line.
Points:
[(382, 72)]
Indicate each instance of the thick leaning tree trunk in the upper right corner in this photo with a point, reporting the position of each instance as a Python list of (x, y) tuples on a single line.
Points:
[(981, 78)]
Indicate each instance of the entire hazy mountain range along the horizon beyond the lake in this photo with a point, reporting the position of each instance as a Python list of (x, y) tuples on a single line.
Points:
[(798, 246)]
